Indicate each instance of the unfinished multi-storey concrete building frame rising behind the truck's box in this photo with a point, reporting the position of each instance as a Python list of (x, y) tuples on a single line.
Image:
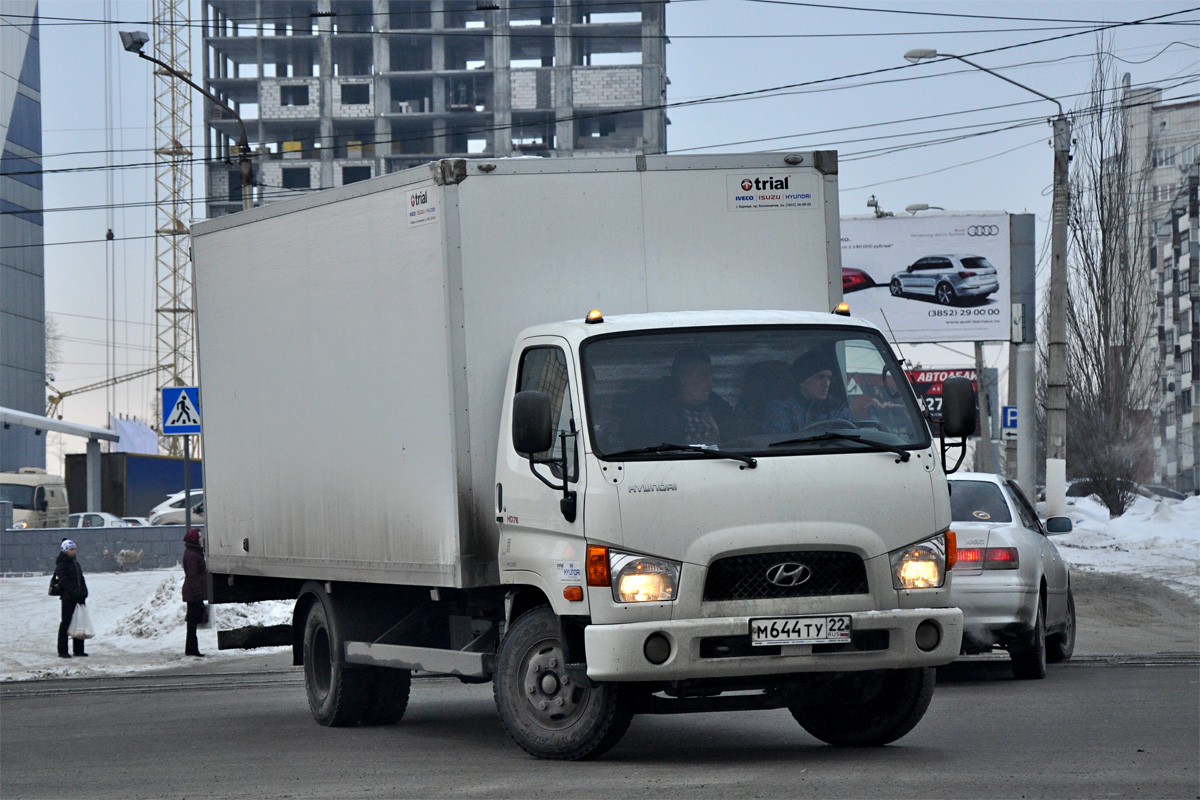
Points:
[(335, 92)]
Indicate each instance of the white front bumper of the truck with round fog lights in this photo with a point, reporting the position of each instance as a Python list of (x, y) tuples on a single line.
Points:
[(615, 653)]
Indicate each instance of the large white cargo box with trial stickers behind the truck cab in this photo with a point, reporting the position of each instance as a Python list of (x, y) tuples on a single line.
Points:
[(353, 345)]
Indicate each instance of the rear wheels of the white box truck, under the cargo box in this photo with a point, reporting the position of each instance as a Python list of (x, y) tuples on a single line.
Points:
[(338, 693)]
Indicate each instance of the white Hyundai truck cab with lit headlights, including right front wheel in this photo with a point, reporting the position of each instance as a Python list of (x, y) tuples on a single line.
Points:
[(701, 520)]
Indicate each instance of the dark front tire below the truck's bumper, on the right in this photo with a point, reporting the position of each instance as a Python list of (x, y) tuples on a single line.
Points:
[(865, 709)]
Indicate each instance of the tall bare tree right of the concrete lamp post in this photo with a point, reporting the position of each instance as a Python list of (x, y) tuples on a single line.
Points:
[(1113, 356)]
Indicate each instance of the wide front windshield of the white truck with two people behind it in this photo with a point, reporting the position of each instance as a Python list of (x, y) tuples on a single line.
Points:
[(767, 392)]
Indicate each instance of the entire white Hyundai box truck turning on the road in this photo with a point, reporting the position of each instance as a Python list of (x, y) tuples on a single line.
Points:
[(641, 509)]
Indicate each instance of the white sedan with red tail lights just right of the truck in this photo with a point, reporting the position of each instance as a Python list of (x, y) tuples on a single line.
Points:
[(1010, 580)]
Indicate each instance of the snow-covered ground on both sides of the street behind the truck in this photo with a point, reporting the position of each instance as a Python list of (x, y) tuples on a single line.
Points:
[(140, 616)]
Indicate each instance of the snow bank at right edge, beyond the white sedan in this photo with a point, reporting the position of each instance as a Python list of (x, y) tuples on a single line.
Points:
[(1154, 539)]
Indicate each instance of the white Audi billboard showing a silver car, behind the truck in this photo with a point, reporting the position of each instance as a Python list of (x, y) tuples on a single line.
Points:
[(941, 278)]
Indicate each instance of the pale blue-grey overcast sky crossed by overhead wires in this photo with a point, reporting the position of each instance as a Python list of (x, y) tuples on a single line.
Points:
[(794, 76)]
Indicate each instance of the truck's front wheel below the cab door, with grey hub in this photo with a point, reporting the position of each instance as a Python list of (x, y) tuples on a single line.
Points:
[(547, 713)]
